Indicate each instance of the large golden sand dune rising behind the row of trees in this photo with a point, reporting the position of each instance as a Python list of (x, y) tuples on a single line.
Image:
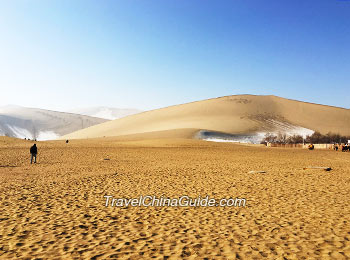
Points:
[(238, 115)]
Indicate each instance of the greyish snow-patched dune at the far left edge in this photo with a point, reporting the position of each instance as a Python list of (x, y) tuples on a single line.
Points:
[(40, 124)]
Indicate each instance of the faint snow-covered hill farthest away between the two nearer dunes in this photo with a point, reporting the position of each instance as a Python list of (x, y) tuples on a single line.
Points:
[(105, 112)]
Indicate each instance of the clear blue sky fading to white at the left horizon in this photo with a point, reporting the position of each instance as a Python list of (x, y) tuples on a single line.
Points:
[(149, 54)]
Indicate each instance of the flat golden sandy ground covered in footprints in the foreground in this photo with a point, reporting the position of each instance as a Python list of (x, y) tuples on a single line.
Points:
[(55, 209)]
